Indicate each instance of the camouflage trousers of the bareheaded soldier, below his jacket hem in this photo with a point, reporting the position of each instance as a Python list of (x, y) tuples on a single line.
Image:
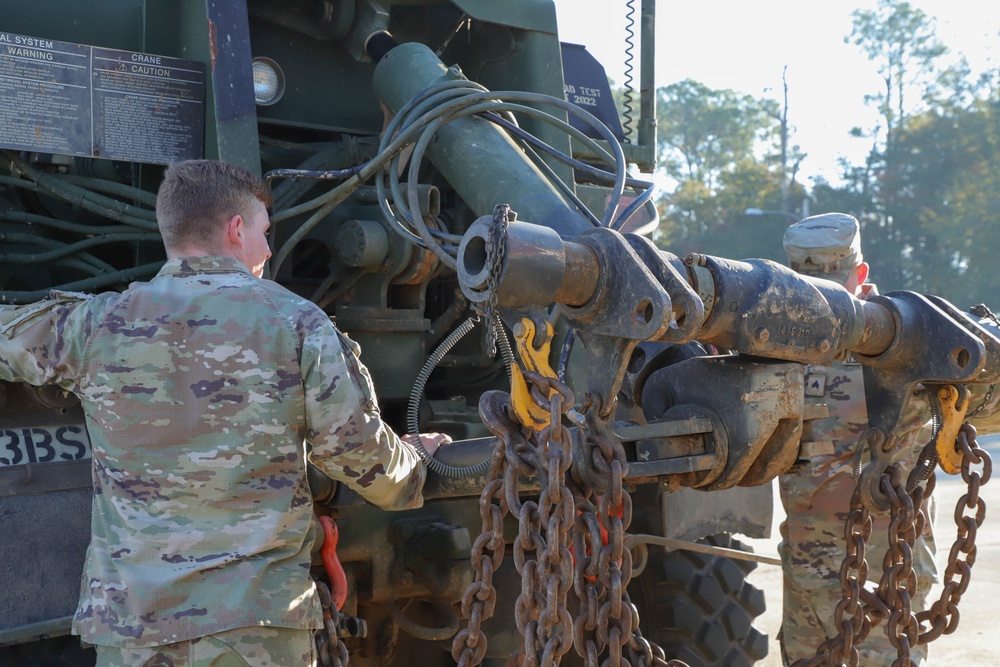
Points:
[(240, 647)]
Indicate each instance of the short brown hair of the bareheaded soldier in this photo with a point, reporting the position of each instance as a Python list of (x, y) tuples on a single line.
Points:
[(196, 197)]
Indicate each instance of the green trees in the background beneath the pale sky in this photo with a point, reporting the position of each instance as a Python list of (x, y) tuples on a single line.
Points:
[(927, 194)]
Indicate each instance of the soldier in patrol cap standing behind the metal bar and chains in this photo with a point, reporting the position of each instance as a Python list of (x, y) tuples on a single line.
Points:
[(816, 494)]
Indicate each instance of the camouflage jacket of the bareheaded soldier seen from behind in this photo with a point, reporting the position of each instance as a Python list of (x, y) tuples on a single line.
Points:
[(202, 390)]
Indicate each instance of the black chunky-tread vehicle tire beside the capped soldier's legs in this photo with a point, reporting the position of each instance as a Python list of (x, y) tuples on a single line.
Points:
[(699, 608)]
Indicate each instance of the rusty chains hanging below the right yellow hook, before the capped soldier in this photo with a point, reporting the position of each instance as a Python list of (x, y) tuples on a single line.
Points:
[(905, 629)]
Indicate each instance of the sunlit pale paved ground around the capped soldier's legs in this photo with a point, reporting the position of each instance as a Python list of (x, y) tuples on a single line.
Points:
[(975, 642)]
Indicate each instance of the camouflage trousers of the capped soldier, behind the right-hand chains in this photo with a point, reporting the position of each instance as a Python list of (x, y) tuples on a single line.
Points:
[(812, 587)]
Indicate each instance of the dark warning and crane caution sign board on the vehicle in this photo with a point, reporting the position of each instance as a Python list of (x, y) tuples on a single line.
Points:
[(73, 99)]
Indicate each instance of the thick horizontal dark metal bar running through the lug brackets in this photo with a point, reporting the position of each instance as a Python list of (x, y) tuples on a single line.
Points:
[(754, 306)]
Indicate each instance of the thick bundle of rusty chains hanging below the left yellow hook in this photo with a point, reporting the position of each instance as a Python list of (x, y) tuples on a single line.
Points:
[(598, 567)]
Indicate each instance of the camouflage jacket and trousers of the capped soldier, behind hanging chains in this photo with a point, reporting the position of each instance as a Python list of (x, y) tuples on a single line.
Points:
[(816, 496)]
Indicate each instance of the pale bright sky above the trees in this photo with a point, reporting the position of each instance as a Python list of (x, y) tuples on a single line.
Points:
[(744, 45)]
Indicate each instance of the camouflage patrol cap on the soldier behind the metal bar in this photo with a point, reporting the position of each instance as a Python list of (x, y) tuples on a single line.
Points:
[(826, 246)]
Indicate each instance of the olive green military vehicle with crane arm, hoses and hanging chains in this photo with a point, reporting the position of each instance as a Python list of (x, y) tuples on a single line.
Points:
[(449, 180)]
